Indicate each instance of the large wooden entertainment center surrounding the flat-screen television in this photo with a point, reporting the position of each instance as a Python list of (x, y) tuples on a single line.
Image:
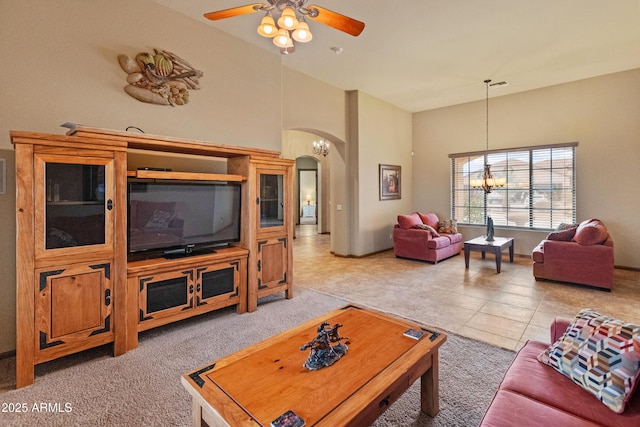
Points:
[(75, 287)]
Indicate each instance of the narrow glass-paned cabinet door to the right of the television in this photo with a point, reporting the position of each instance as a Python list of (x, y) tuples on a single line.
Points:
[(272, 212)]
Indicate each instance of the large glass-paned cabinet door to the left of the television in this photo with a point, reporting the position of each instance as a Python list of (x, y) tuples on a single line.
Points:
[(76, 196)]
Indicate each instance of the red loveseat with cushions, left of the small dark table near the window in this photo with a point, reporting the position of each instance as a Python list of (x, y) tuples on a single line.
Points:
[(424, 237)]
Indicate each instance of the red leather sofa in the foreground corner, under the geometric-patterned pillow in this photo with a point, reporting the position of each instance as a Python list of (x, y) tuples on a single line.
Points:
[(534, 394)]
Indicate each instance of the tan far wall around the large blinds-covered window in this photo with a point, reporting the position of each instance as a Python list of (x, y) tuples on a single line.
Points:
[(600, 113)]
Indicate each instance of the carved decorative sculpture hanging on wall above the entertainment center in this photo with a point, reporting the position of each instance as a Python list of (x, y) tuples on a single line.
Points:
[(160, 78)]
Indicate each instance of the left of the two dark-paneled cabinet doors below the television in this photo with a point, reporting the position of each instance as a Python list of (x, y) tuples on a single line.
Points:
[(165, 294)]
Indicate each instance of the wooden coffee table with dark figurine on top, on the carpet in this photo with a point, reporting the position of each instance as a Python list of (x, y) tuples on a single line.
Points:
[(258, 384)]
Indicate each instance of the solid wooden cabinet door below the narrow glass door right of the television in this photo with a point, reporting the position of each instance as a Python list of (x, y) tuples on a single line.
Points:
[(272, 262)]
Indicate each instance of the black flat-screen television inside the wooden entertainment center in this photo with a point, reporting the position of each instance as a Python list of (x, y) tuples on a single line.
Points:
[(174, 218)]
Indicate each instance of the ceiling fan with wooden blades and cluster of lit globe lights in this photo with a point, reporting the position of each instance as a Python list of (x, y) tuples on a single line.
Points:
[(291, 23)]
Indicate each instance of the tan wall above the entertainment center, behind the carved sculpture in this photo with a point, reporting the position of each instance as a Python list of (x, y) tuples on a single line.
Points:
[(59, 64)]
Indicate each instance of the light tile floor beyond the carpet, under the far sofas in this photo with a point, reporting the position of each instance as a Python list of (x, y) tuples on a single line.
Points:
[(503, 309)]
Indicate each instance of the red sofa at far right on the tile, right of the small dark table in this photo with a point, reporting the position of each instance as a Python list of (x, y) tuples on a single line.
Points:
[(582, 254)]
